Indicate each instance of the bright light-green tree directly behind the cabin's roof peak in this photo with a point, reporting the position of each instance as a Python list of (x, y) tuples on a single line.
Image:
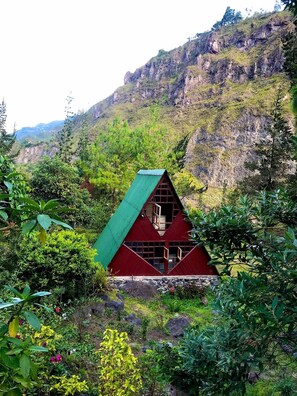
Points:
[(120, 151)]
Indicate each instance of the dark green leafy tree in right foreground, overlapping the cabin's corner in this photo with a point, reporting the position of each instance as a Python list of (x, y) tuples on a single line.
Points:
[(256, 310)]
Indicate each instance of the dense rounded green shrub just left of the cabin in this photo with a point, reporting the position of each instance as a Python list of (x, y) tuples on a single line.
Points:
[(64, 260)]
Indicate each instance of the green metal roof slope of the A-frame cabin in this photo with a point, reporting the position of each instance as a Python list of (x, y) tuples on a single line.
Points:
[(124, 217)]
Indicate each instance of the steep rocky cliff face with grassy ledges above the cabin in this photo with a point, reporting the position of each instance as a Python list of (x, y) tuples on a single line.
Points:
[(217, 89)]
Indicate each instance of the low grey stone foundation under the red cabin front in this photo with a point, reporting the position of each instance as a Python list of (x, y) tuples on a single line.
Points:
[(163, 283)]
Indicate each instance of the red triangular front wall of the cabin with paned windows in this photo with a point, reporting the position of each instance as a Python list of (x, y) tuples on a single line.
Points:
[(158, 242)]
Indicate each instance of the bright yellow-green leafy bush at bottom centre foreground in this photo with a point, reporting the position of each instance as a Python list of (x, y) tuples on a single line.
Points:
[(118, 372)]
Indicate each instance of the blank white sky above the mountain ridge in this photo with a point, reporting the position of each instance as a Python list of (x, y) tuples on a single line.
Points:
[(51, 48)]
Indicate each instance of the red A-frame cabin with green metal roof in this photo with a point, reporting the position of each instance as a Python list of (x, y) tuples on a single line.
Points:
[(149, 234)]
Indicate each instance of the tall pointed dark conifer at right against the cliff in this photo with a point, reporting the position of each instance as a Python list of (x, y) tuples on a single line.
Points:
[(273, 153)]
